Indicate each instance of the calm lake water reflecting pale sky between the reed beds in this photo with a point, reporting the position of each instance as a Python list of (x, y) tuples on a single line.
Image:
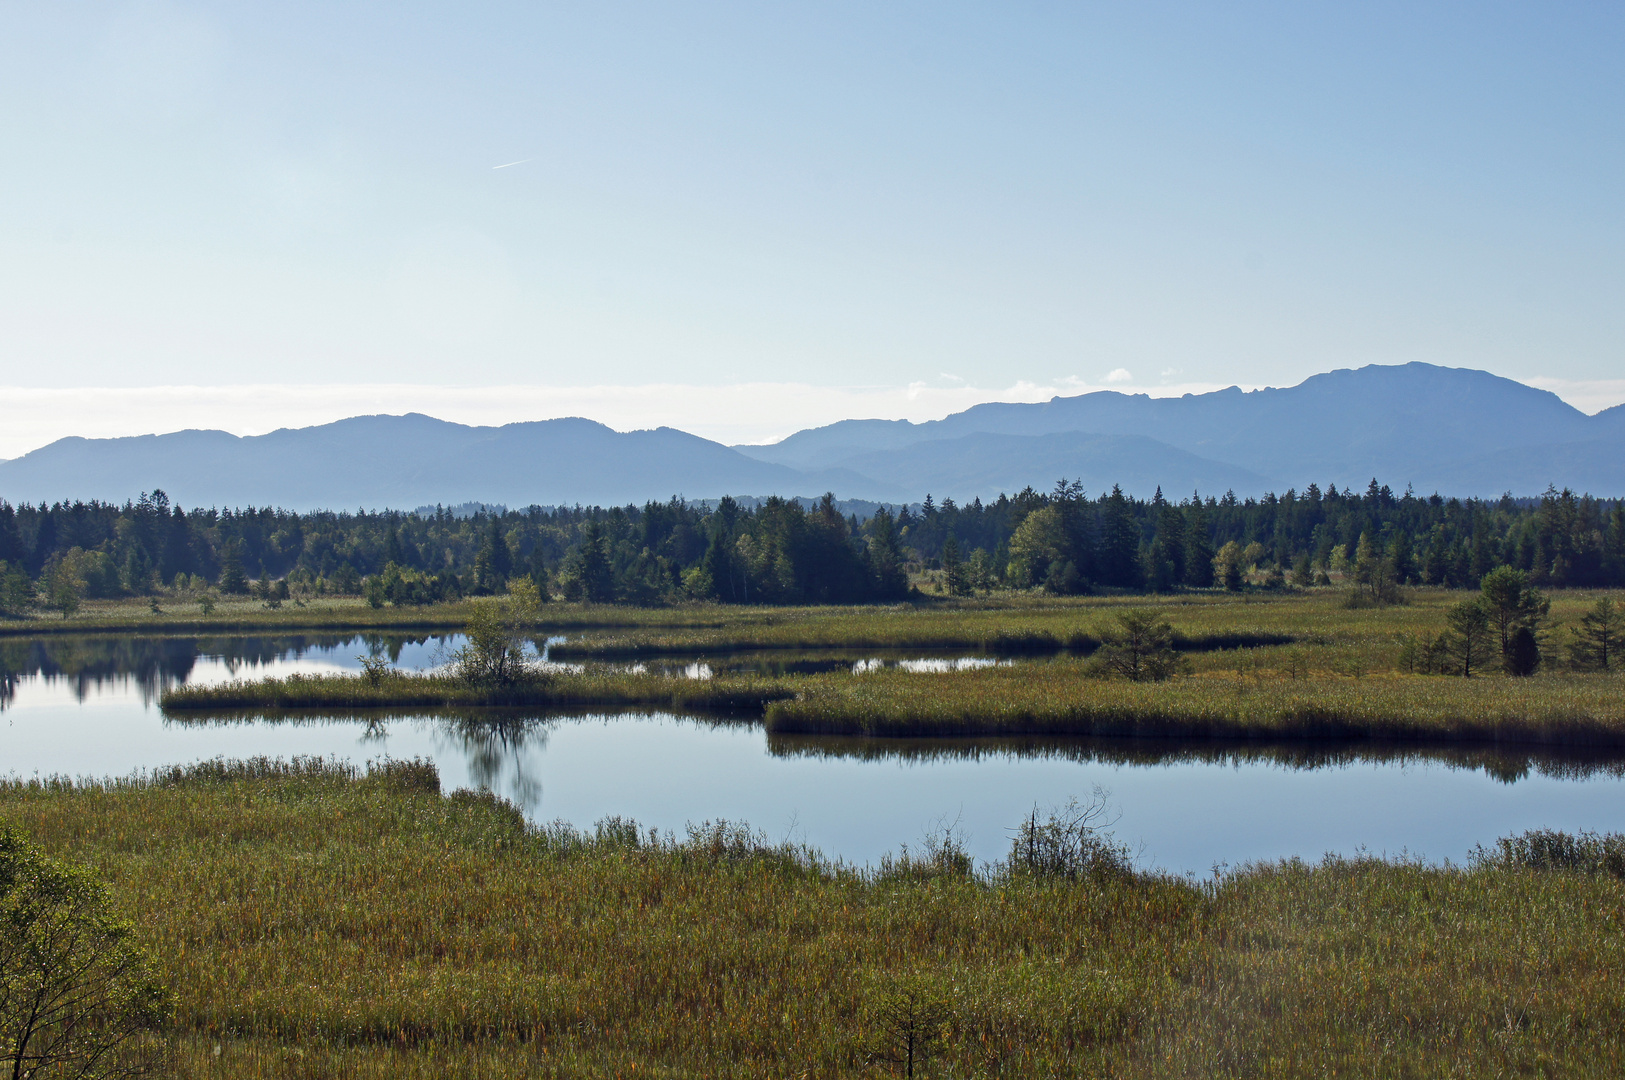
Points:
[(87, 707)]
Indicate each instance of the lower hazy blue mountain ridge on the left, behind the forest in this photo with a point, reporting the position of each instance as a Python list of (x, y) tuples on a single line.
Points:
[(402, 462)]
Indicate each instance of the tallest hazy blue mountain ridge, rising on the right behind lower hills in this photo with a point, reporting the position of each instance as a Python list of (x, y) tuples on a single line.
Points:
[(1410, 425)]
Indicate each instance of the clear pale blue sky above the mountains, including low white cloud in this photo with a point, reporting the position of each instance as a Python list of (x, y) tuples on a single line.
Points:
[(297, 210)]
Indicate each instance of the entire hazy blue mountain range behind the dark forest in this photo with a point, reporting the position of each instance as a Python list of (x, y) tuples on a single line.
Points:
[(1455, 431)]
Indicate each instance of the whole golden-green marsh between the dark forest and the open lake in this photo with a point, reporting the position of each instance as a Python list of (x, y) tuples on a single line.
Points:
[(1268, 667)]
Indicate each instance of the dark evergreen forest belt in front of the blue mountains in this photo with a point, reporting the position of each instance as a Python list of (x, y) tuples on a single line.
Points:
[(791, 553)]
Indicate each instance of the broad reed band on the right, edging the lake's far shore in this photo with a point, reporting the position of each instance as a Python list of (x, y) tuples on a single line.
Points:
[(1067, 699)]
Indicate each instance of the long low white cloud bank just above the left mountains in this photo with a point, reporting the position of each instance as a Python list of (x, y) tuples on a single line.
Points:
[(734, 413)]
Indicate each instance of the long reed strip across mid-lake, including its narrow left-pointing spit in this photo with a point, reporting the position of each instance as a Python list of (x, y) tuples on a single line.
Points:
[(1060, 698)]
